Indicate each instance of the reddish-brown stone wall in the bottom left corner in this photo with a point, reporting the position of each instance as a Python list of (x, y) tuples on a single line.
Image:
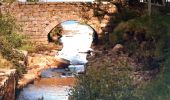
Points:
[(8, 80)]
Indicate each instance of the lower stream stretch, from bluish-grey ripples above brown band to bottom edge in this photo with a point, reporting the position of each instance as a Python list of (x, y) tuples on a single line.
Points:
[(51, 86)]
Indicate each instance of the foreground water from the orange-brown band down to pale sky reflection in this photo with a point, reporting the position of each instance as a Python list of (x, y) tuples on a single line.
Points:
[(48, 88)]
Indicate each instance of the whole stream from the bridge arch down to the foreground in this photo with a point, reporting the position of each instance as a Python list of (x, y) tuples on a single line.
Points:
[(54, 84)]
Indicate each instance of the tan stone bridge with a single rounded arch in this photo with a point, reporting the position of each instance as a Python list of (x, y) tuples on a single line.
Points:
[(38, 19)]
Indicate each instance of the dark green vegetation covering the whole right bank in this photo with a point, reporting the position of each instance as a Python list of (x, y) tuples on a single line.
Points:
[(146, 41)]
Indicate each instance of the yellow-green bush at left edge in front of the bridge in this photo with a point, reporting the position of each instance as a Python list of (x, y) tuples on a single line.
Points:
[(10, 41)]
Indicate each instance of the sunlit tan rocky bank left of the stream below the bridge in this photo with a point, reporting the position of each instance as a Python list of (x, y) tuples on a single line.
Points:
[(37, 62)]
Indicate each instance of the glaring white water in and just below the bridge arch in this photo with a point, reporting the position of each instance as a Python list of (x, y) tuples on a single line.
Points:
[(76, 45)]
